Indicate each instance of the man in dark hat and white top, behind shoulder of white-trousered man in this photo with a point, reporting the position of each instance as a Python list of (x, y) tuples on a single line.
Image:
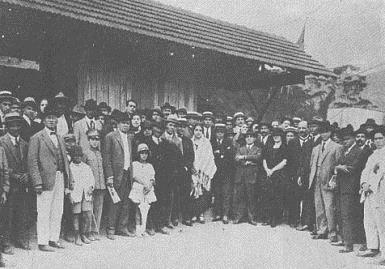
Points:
[(62, 105)]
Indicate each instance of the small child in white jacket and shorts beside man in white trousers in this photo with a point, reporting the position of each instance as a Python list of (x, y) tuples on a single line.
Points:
[(81, 196)]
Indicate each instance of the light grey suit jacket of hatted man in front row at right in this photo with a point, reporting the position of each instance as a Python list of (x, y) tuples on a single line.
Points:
[(328, 159)]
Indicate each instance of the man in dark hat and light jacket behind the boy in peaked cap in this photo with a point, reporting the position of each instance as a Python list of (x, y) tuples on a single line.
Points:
[(81, 127)]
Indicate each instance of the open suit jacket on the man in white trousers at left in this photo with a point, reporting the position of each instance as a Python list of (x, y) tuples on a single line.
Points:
[(42, 165)]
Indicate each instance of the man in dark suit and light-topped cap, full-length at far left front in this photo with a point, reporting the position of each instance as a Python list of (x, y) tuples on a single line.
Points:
[(16, 150)]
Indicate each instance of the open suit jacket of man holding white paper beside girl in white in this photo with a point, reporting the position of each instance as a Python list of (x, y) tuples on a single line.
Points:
[(113, 157)]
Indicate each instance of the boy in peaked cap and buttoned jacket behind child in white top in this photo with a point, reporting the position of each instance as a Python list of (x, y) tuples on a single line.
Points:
[(93, 158)]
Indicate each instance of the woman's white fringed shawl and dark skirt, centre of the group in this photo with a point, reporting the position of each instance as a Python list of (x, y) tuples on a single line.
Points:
[(204, 164)]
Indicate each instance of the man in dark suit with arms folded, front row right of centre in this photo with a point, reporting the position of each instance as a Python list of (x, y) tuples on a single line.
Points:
[(247, 159)]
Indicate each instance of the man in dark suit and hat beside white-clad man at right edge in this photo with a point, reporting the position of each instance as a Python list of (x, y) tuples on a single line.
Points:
[(348, 173)]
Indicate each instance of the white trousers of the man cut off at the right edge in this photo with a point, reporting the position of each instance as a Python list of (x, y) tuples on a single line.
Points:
[(374, 223)]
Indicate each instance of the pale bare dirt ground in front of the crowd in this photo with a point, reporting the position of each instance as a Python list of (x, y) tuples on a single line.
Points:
[(212, 245)]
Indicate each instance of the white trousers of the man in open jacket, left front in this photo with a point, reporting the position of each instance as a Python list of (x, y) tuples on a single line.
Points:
[(50, 212)]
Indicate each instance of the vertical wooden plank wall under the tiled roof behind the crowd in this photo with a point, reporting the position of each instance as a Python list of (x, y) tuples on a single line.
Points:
[(105, 77)]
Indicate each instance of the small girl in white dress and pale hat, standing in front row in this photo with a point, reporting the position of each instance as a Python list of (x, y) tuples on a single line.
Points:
[(142, 192)]
